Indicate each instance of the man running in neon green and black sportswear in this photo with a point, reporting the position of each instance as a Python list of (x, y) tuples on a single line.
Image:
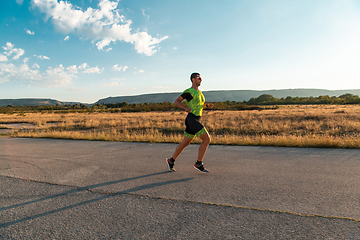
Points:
[(195, 104)]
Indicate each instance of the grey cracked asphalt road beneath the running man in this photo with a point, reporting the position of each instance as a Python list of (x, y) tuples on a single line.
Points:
[(66, 189)]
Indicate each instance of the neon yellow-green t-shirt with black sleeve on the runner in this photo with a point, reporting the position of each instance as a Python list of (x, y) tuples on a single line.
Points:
[(195, 100)]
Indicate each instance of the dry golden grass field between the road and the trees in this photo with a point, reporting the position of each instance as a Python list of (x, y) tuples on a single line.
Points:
[(332, 126)]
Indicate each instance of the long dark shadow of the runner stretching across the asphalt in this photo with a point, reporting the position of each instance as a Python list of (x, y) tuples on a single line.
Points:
[(88, 188)]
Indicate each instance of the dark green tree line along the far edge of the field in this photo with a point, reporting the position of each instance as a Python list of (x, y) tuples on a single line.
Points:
[(264, 101)]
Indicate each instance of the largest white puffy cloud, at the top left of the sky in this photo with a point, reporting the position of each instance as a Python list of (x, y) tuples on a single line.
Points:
[(104, 25)]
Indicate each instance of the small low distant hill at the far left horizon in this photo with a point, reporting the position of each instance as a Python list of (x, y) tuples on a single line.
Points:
[(33, 102)]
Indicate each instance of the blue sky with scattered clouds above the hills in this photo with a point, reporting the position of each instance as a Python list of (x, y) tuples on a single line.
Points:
[(84, 50)]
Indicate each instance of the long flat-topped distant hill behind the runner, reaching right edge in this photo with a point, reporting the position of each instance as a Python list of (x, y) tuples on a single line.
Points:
[(228, 95)]
